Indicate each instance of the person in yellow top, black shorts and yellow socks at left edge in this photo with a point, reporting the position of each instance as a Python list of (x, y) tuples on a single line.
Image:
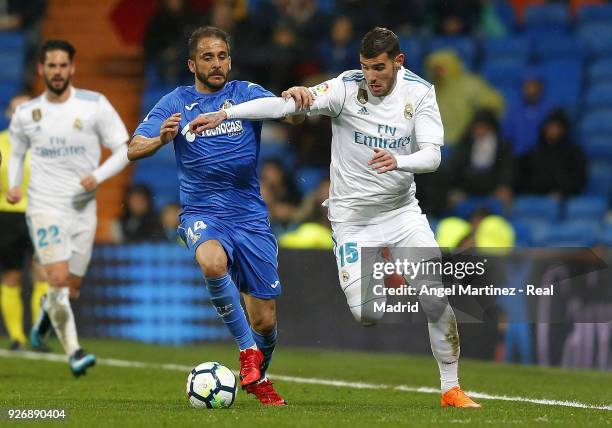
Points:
[(15, 249)]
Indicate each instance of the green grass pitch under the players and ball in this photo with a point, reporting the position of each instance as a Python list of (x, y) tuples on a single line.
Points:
[(149, 396)]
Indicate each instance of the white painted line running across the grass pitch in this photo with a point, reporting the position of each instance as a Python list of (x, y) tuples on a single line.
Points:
[(304, 380)]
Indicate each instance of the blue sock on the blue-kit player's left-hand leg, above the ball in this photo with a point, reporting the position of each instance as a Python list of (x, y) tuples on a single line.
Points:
[(225, 296)]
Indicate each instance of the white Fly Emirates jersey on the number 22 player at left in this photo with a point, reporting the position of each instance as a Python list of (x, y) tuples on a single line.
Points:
[(64, 141)]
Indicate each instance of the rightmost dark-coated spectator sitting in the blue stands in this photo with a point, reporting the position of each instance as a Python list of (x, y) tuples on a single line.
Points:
[(556, 166)]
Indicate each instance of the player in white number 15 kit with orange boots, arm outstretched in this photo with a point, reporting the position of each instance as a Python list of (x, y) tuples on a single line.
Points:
[(386, 127)]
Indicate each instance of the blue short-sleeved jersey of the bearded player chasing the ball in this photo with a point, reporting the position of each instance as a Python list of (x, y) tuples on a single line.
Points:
[(217, 170)]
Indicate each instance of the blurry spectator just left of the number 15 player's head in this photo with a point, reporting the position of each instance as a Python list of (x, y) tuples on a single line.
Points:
[(340, 52)]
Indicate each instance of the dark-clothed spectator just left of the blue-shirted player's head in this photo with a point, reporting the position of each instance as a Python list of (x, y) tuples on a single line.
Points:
[(164, 41)]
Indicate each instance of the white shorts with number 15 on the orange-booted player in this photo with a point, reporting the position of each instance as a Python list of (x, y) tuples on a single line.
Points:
[(400, 233)]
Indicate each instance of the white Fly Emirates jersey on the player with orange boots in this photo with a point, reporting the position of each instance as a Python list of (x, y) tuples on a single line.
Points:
[(362, 122)]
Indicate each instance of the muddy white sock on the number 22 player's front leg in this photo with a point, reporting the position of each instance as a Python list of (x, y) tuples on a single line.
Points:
[(57, 305)]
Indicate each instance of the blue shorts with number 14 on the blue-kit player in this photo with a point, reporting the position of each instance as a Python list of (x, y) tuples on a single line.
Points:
[(250, 247)]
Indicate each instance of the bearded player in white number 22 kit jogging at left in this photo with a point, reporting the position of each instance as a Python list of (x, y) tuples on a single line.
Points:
[(63, 128)]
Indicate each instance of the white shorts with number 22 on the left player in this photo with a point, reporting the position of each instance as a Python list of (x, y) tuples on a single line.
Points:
[(59, 237)]
